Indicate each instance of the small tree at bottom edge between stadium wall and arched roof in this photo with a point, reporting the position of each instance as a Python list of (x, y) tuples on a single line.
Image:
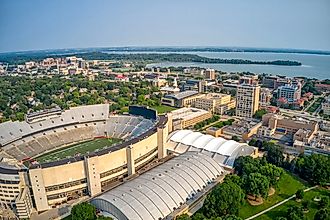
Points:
[(83, 211)]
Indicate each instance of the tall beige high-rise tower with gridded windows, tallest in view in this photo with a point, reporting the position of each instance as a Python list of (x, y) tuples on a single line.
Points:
[(247, 100)]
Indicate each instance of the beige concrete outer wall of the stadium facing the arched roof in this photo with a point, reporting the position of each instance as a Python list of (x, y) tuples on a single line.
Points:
[(55, 185)]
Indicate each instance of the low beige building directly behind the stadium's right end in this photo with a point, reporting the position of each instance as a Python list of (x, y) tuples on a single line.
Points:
[(186, 117)]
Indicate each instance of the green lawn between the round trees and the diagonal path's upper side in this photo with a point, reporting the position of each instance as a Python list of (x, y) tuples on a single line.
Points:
[(287, 186)]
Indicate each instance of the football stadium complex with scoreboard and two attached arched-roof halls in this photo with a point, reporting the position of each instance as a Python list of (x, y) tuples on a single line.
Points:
[(132, 166)]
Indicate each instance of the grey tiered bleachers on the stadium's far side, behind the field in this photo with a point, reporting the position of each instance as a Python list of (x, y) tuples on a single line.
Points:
[(24, 140)]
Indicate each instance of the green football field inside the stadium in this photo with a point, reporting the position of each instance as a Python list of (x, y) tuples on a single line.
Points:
[(77, 149)]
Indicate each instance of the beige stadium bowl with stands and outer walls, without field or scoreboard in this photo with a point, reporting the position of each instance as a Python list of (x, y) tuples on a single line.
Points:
[(58, 181)]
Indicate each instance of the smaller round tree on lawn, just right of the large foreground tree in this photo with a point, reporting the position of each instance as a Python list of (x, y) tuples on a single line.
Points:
[(256, 184)]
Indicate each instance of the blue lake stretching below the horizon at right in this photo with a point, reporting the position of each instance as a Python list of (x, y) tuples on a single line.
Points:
[(313, 66)]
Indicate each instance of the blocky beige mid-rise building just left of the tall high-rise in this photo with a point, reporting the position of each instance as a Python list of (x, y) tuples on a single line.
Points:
[(217, 103)]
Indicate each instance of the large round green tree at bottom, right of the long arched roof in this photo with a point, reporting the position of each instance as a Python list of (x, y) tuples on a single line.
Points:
[(223, 200)]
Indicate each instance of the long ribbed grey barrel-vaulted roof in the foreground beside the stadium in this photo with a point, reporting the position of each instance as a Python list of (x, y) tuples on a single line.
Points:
[(156, 193)]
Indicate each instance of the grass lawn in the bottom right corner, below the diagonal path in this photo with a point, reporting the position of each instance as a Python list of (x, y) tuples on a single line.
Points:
[(281, 210)]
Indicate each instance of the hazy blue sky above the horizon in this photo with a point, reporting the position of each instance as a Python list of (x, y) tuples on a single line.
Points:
[(40, 24)]
